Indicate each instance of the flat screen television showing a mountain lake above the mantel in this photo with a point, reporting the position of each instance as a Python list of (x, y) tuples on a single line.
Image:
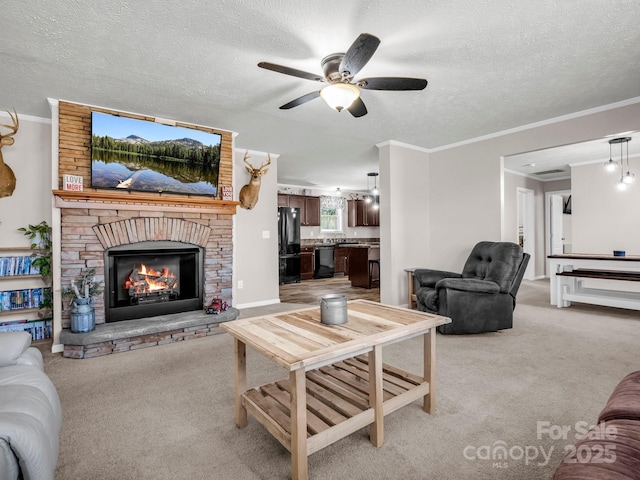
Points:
[(145, 156)]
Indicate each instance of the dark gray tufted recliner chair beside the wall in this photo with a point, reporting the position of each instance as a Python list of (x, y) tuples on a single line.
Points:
[(481, 298)]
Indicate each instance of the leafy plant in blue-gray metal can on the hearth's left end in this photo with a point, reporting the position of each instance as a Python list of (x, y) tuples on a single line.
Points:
[(83, 289)]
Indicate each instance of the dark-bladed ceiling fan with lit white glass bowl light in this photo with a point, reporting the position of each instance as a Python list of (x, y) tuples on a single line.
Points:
[(343, 92)]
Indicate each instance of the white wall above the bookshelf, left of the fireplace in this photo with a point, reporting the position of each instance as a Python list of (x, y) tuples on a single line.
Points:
[(29, 157)]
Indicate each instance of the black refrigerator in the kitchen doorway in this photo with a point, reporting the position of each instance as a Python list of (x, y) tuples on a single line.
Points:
[(289, 244)]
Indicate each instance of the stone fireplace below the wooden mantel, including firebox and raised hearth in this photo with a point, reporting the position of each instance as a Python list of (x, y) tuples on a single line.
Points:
[(196, 246)]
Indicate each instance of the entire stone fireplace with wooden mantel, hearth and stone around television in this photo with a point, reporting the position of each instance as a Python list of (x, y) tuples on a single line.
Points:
[(185, 243)]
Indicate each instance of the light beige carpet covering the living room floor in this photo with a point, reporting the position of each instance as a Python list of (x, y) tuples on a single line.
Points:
[(167, 412)]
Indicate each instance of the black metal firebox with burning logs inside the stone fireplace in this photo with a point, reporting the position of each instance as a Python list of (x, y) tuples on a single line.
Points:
[(152, 278)]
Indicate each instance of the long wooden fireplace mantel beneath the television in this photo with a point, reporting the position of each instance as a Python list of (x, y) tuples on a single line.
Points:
[(106, 199)]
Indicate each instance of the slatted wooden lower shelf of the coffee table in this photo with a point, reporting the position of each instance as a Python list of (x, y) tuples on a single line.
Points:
[(337, 401)]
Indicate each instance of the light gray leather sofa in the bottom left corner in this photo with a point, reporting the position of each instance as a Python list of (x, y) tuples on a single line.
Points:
[(30, 413)]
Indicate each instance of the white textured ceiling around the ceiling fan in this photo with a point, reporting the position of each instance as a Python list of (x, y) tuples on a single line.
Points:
[(491, 66)]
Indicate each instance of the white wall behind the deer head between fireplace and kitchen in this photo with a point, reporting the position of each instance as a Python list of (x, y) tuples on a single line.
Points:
[(255, 257)]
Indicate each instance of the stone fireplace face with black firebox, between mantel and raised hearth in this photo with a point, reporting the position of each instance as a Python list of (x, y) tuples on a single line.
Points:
[(107, 238)]
